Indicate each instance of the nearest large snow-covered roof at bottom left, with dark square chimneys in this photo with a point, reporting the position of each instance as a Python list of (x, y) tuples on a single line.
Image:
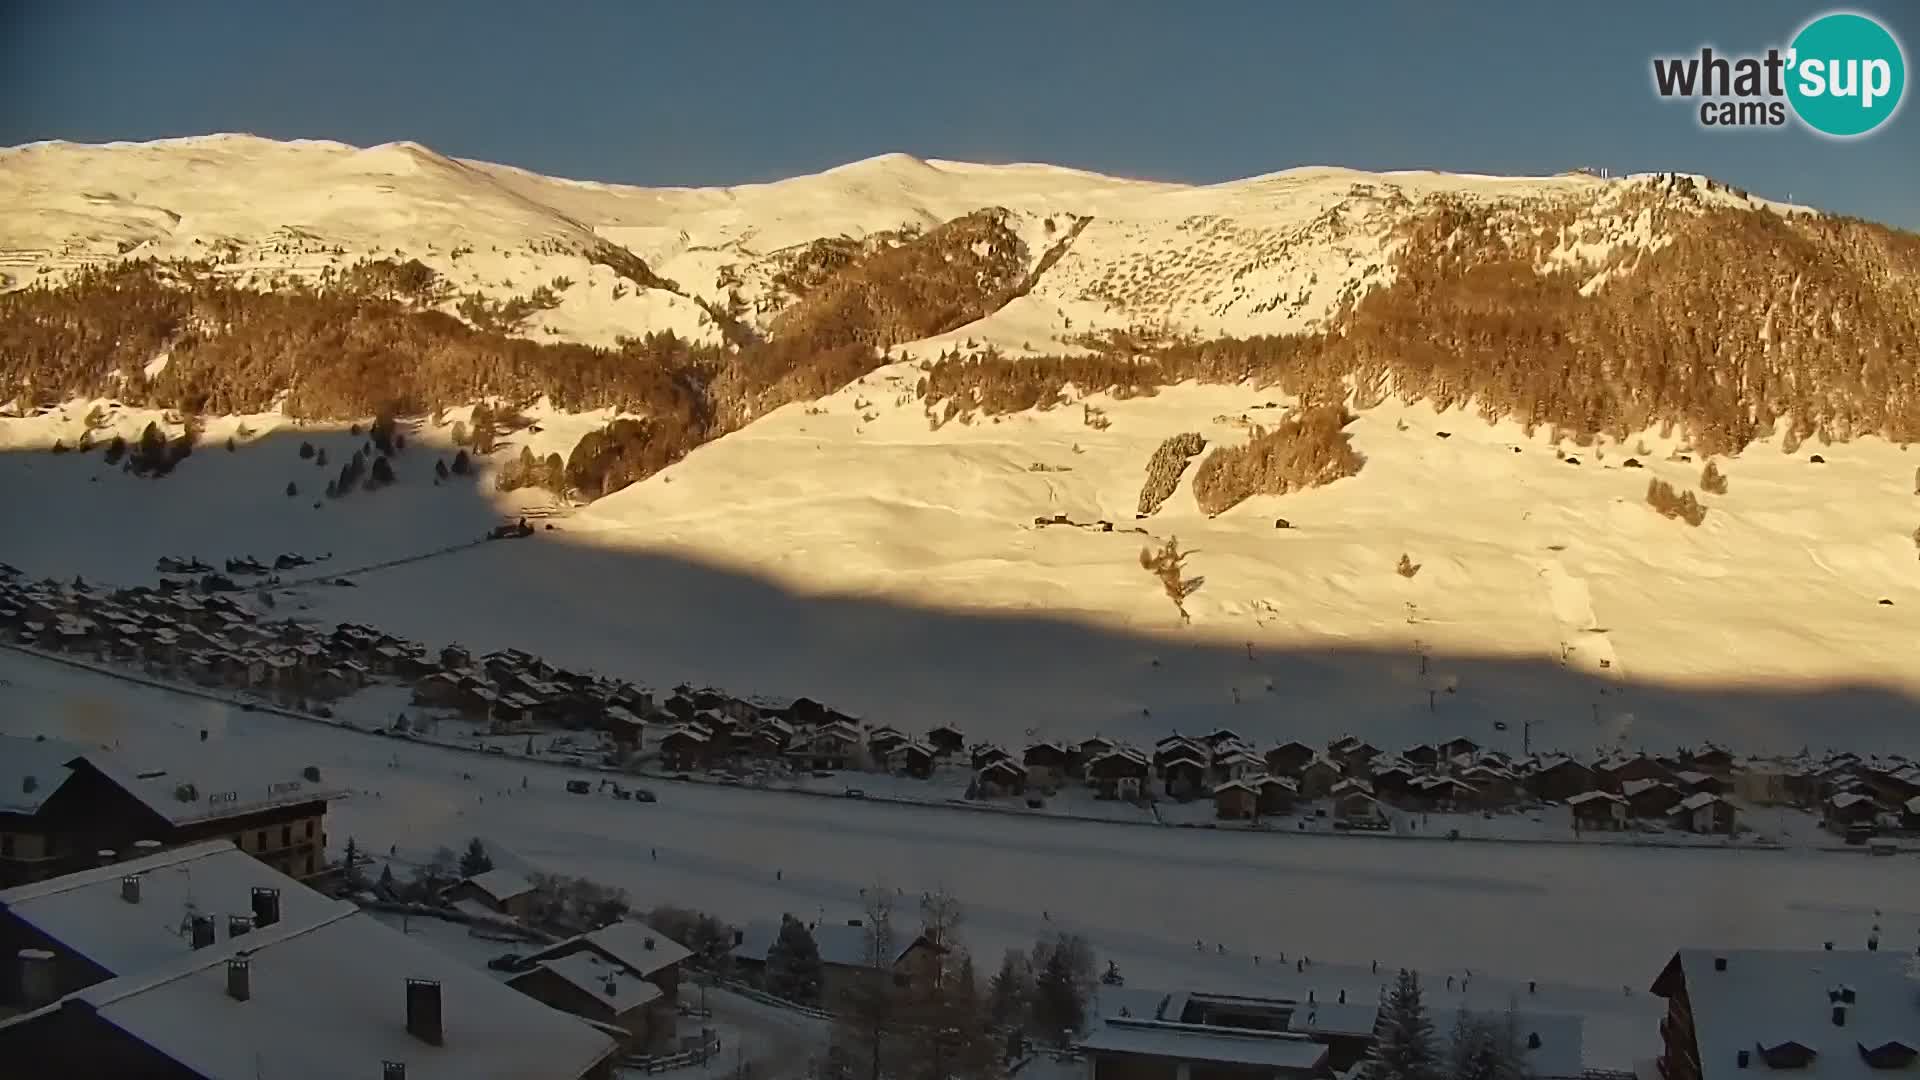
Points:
[(329, 1000)]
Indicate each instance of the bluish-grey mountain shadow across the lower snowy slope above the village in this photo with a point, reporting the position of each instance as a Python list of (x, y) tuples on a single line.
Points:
[(667, 618)]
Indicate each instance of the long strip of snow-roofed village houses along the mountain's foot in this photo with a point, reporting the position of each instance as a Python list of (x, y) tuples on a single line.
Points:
[(218, 641)]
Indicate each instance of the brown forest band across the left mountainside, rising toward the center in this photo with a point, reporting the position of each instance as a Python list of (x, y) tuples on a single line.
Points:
[(370, 341)]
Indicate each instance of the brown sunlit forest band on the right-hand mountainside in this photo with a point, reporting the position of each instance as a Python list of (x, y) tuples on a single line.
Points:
[(1742, 320)]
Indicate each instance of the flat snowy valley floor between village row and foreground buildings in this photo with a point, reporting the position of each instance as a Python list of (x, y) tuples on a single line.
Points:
[(1593, 925)]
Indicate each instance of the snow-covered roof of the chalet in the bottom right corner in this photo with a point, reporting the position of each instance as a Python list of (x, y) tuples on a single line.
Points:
[(1771, 996)]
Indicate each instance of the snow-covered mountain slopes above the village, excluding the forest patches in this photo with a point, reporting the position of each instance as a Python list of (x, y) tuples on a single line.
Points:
[(850, 551)]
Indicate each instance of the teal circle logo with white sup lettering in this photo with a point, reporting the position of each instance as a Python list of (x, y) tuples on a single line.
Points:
[(1846, 76)]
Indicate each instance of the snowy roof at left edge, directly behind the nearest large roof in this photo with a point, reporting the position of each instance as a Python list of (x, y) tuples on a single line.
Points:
[(89, 914)]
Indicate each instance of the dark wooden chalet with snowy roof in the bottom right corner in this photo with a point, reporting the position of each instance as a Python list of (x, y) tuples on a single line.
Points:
[(1815, 1014)]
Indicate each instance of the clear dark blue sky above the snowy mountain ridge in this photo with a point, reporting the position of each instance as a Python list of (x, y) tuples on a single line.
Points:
[(744, 91)]
